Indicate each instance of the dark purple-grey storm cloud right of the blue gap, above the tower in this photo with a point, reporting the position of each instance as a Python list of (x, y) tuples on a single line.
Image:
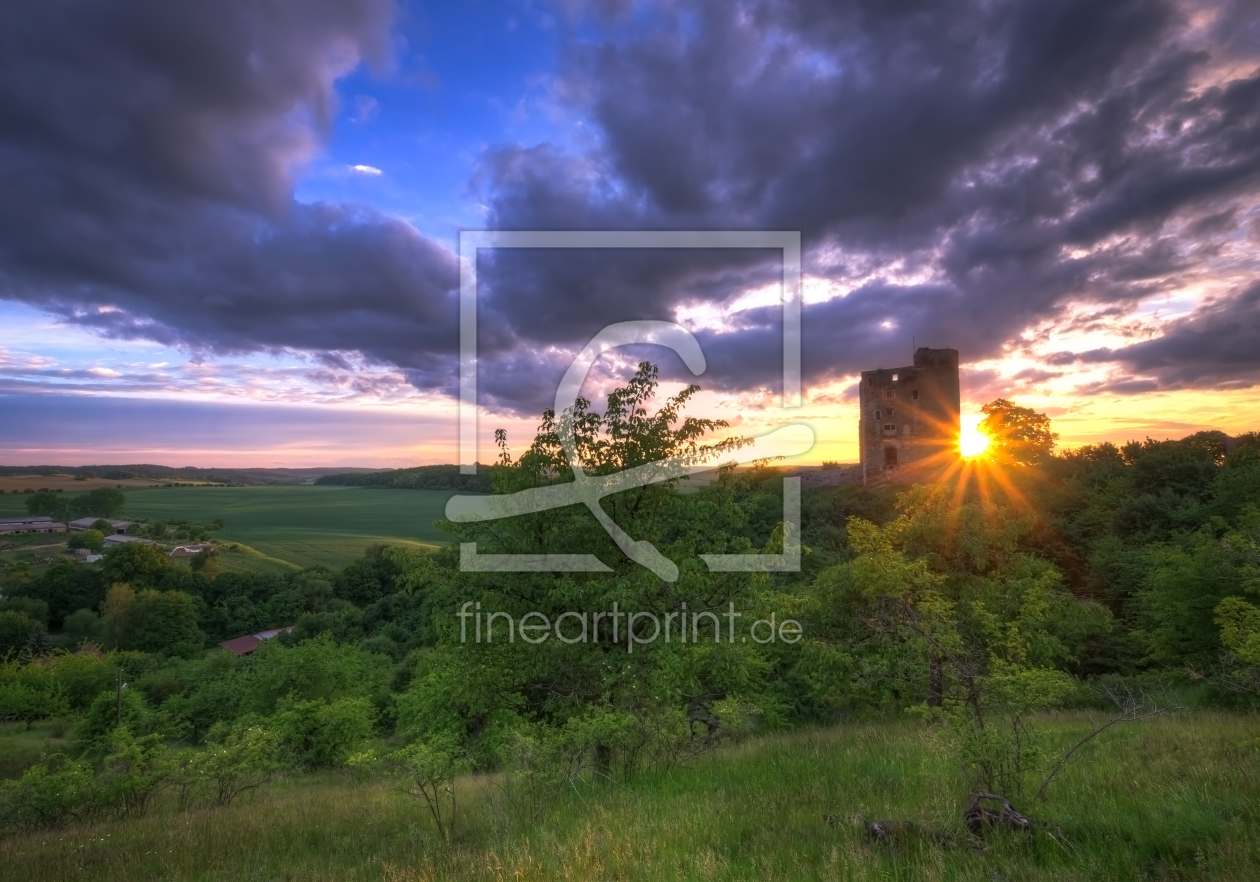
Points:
[(1021, 157)]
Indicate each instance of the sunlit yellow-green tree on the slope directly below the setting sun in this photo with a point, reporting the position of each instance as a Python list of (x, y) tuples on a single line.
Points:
[(946, 600)]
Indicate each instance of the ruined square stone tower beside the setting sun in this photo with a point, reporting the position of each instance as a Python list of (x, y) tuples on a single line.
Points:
[(910, 415)]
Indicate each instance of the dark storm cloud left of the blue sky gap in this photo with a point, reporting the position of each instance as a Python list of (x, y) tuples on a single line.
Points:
[(147, 162)]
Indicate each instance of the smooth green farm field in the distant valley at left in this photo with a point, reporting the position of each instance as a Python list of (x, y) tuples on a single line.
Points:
[(292, 525)]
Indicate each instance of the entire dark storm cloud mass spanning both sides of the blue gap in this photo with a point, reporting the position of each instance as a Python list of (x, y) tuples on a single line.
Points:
[(966, 169)]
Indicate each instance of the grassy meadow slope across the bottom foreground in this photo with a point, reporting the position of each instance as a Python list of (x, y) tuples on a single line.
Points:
[(1172, 799)]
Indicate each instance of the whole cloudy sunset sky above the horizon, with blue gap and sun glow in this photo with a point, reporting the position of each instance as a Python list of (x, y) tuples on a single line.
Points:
[(229, 229)]
